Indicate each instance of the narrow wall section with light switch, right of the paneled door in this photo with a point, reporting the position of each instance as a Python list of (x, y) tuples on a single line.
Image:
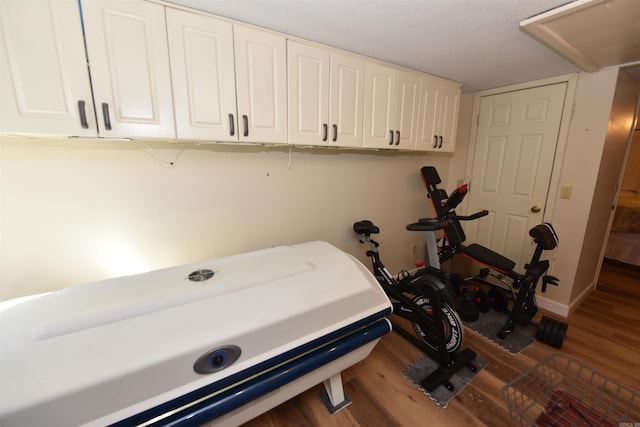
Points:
[(581, 238)]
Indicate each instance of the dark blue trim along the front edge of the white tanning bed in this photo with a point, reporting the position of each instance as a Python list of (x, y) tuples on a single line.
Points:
[(332, 346)]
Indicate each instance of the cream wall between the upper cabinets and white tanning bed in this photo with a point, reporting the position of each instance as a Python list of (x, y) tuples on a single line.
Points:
[(79, 211)]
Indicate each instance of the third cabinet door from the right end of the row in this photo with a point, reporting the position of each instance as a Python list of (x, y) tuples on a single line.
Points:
[(407, 110)]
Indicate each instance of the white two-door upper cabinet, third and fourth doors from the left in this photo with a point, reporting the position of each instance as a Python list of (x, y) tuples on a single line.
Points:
[(222, 93)]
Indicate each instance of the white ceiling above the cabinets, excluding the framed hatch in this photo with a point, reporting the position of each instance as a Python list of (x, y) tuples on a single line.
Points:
[(478, 43)]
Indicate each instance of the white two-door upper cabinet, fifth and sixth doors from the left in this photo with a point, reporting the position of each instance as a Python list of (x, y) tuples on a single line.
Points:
[(326, 96)]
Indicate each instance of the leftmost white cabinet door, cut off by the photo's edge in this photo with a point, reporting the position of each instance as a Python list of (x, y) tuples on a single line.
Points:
[(45, 81)]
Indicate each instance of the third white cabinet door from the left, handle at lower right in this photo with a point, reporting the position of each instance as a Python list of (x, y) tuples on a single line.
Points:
[(203, 76)]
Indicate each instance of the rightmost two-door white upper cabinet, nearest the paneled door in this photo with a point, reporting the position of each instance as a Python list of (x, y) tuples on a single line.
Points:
[(438, 121)]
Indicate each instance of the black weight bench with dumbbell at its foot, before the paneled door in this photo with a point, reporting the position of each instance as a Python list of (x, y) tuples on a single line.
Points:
[(524, 307)]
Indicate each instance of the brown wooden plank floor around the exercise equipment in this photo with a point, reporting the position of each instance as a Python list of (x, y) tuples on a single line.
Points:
[(604, 333)]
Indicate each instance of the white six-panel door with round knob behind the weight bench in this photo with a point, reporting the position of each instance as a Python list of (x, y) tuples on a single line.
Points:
[(515, 148)]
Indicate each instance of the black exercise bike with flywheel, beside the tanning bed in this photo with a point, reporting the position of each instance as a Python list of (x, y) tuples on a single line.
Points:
[(424, 300)]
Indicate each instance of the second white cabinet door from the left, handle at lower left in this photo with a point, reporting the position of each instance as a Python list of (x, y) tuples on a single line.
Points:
[(129, 59)]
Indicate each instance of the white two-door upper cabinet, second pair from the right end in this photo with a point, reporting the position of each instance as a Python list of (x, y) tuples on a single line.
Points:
[(391, 107)]
